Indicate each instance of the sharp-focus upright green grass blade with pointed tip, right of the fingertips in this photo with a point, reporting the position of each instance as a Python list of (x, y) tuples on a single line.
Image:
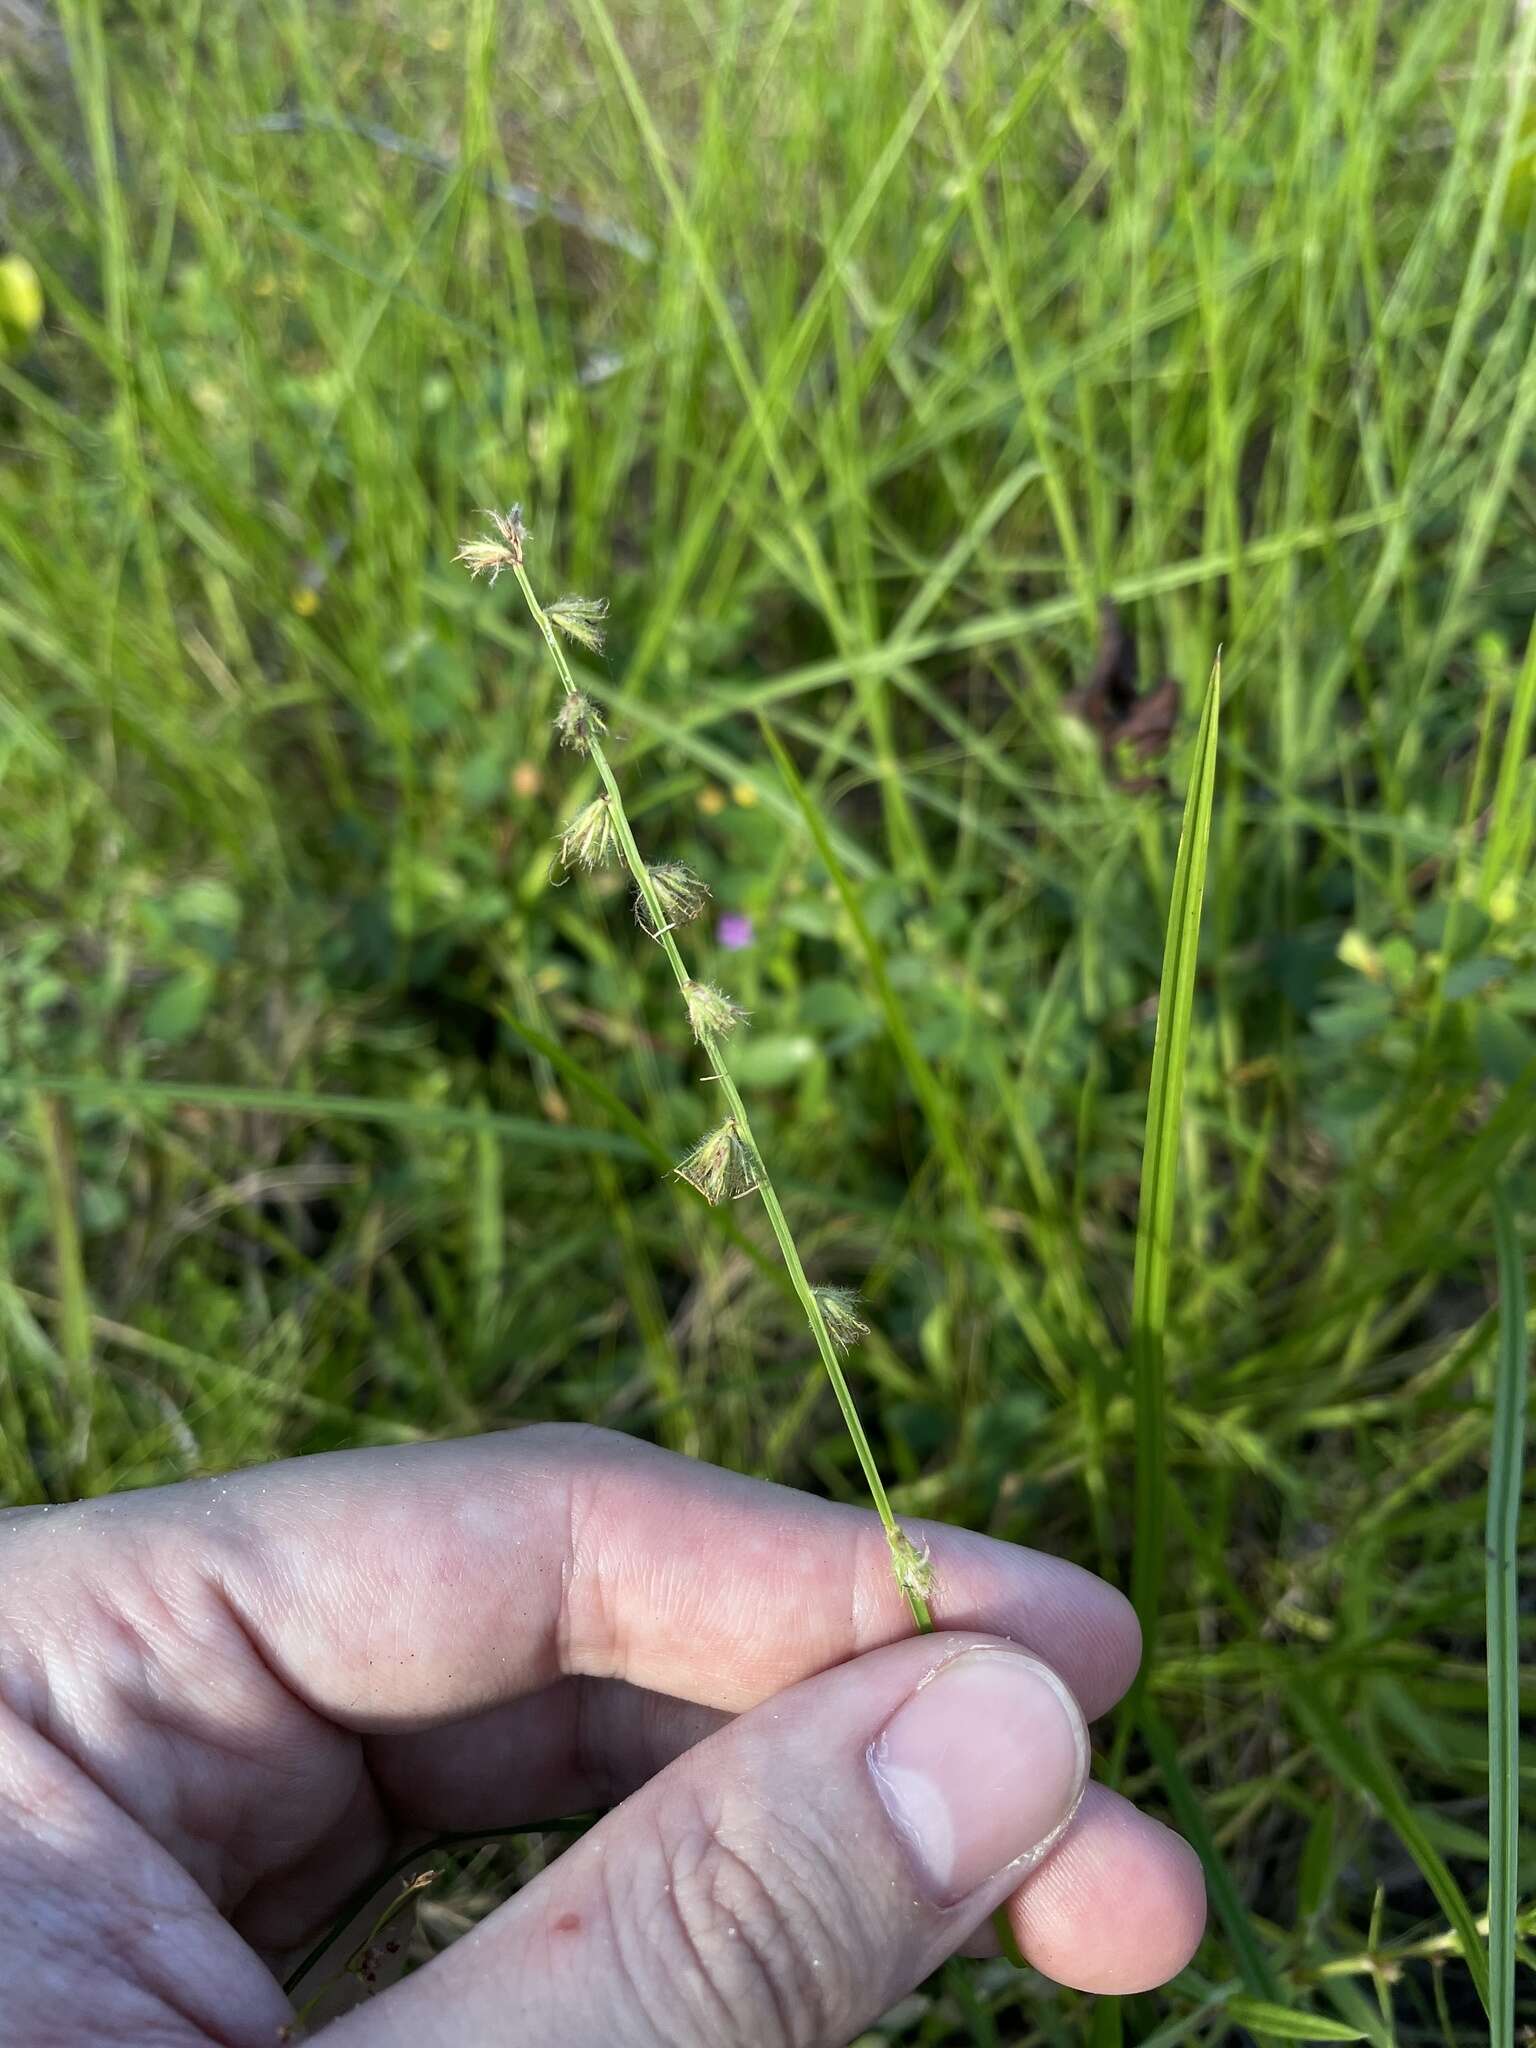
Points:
[(1160, 1170)]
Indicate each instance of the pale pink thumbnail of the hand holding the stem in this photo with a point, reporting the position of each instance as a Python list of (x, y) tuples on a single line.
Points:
[(982, 1768)]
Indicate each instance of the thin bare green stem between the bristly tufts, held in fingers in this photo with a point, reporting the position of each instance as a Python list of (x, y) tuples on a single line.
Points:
[(902, 1549)]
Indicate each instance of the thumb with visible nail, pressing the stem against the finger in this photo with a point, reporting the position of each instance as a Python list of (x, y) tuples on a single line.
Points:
[(783, 1883)]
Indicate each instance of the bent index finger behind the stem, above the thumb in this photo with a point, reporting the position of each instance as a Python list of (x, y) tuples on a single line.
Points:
[(407, 1588)]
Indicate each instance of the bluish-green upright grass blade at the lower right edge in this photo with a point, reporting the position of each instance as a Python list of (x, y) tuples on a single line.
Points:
[(1506, 1467)]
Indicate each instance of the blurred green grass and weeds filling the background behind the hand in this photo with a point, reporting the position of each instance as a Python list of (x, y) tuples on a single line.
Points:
[(857, 353)]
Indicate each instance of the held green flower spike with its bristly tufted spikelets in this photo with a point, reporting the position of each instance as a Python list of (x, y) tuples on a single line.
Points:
[(728, 1162)]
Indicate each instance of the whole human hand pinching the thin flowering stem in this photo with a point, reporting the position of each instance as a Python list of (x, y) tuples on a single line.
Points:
[(224, 1705)]
